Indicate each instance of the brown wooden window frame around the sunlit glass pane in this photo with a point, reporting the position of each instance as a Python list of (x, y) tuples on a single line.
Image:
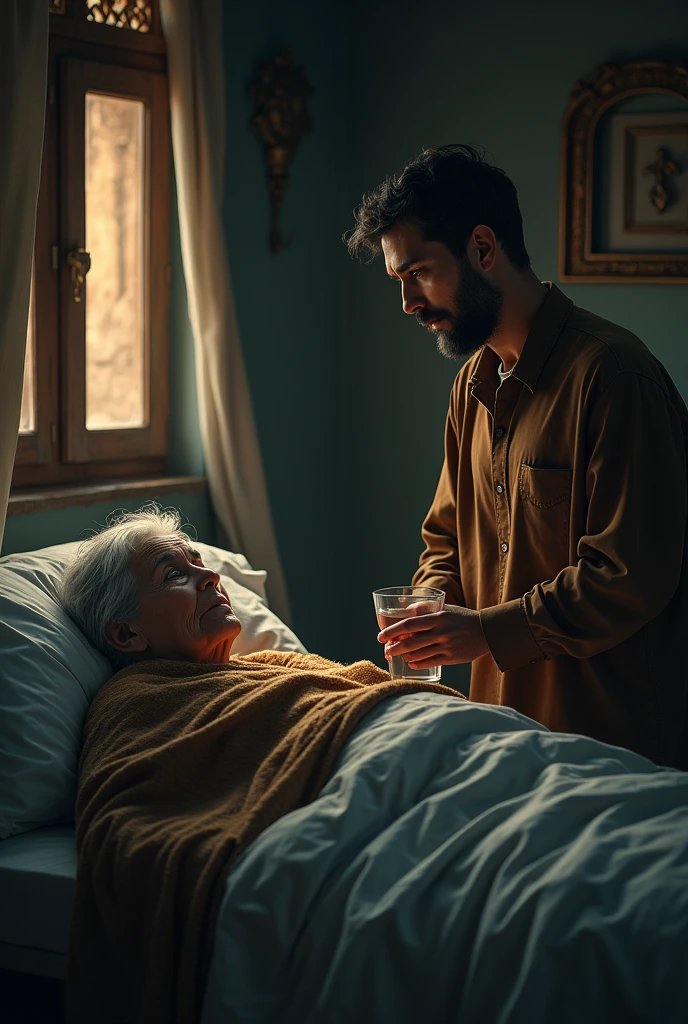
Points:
[(62, 451)]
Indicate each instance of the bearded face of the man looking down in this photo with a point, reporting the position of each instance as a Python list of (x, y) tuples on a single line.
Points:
[(460, 305)]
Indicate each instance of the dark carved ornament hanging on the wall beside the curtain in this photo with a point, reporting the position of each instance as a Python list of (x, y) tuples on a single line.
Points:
[(282, 119)]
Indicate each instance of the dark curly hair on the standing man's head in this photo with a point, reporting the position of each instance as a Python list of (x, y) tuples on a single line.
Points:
[(448, 191)]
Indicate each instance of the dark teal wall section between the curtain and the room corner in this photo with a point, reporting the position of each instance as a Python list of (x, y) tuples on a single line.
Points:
[(289, 304)]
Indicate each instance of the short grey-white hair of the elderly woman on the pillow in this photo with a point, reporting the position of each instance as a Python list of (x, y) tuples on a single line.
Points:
[(99, 587)]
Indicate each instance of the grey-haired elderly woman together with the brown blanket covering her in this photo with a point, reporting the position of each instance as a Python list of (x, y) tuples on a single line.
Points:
[(189, 754)]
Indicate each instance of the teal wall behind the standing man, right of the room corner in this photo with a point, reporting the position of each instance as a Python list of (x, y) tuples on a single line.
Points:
[(496, 75)]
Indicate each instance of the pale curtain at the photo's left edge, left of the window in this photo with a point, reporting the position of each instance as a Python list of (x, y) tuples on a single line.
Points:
[(24, 57)]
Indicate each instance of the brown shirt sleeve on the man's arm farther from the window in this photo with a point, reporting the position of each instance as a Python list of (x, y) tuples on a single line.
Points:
[(630, 559)]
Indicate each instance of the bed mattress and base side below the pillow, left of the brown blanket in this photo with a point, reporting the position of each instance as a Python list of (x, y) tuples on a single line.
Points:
[(38, 872)]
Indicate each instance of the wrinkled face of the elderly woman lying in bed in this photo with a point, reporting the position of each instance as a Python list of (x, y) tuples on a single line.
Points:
[(186, 614)]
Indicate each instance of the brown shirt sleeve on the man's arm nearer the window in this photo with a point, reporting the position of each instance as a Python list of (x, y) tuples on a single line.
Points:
[(439, 566)]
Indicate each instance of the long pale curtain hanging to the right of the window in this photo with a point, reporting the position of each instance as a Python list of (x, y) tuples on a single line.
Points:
[(194, 35)]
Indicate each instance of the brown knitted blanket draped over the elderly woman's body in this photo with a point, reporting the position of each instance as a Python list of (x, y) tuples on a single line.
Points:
[(184, 765)]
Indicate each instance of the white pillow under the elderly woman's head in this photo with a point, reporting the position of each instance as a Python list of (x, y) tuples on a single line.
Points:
[(50, 673)]
